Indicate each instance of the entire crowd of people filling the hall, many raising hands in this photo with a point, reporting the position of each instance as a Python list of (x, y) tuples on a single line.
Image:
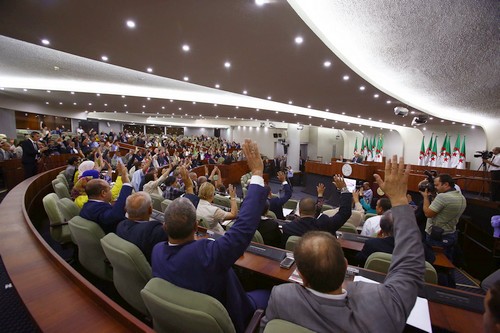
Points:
[(161, 166)]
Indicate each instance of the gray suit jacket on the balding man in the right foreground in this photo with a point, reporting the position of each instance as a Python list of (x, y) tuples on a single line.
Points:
[(368, 307)]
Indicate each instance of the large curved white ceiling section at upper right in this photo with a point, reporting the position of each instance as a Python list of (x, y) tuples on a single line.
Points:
[(441, 57)]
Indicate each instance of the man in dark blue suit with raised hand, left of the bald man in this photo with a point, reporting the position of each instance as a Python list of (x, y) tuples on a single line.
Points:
[(99, 208)]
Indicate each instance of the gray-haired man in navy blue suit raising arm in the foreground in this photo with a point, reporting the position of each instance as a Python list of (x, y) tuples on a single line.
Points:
[(205, 265)]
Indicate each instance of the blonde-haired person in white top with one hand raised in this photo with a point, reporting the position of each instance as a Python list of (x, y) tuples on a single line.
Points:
[(211, 214)]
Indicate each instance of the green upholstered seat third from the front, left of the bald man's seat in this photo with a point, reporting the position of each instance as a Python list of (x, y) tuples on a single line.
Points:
[(87, 235)]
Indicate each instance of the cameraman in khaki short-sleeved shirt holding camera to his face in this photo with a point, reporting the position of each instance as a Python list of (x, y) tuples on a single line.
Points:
[(443, 214)]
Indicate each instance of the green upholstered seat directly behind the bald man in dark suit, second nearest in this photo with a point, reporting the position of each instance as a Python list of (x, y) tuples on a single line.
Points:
[(131, 270)]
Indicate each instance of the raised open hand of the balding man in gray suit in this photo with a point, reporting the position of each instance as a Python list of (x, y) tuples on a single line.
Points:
[(395, 182)]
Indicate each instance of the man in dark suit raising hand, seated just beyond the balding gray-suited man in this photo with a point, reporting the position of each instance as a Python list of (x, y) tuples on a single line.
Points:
[(307, 213)]
